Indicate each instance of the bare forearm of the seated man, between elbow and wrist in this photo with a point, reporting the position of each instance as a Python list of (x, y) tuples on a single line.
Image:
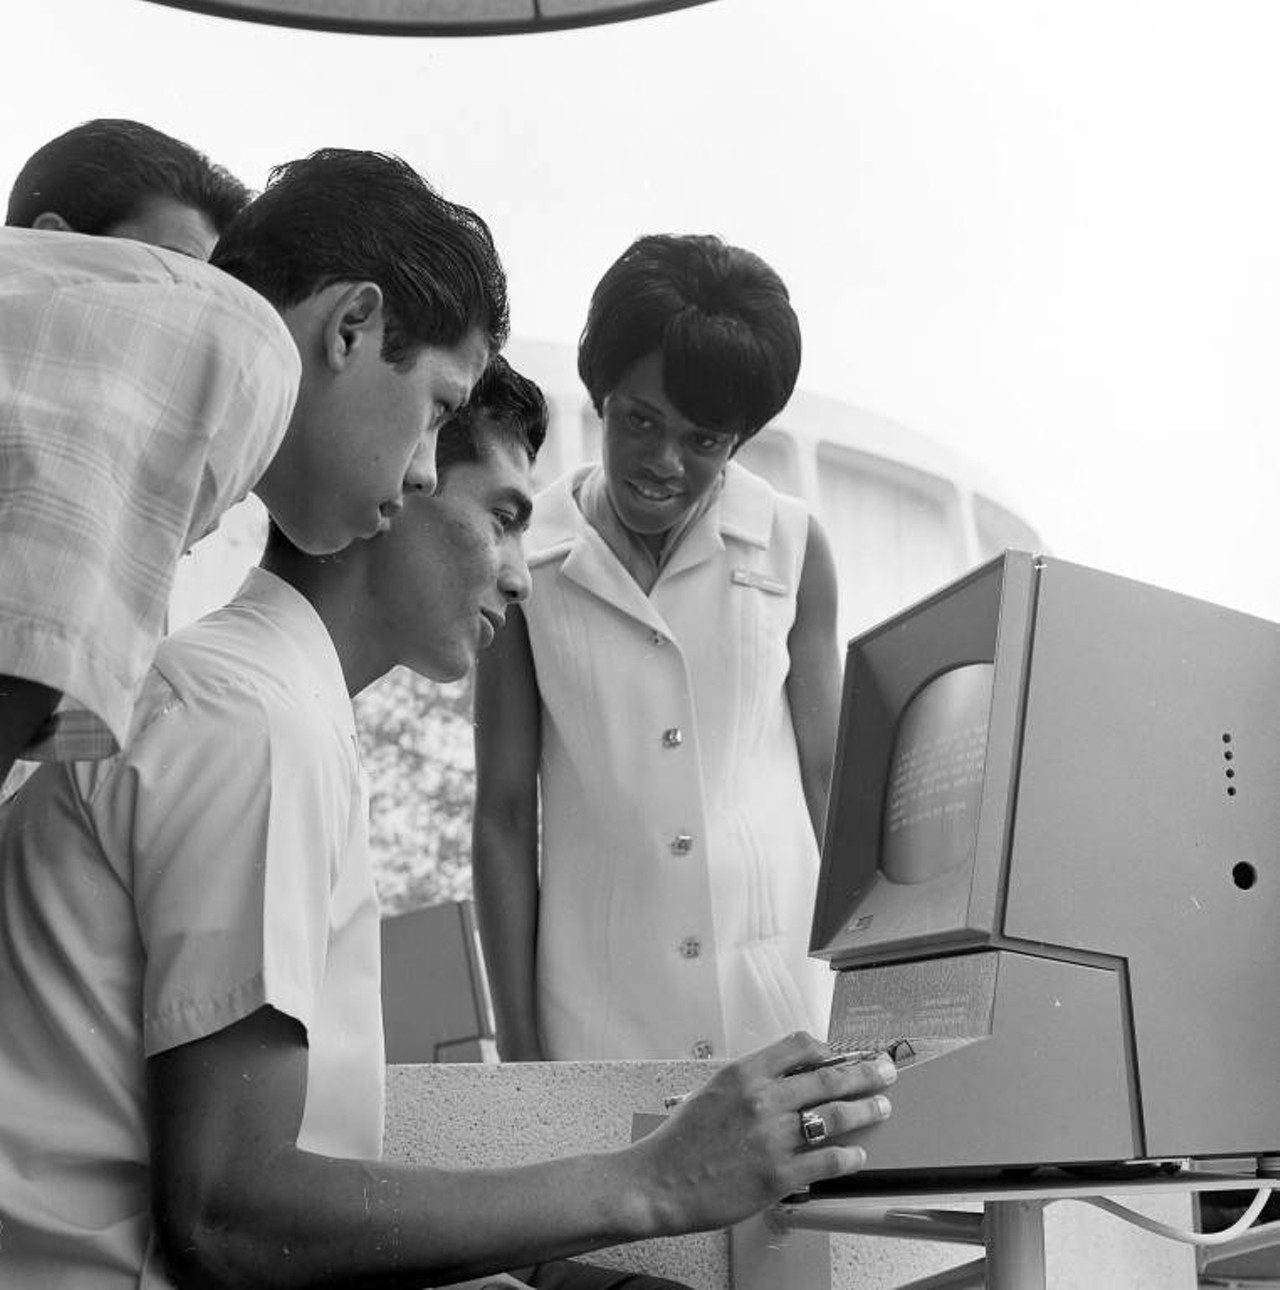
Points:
[(318, 1221)]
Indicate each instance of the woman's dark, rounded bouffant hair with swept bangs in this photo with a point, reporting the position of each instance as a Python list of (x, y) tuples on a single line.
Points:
[(721, 318)]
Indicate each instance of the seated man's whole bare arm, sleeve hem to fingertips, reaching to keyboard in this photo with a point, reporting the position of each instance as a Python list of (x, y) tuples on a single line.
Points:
[(237, 1202)]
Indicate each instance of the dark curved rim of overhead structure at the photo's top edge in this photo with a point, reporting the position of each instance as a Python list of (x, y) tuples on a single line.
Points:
[(432, 17)]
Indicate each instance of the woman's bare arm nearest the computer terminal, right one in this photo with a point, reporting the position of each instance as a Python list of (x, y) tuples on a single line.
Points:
[(814, 683)]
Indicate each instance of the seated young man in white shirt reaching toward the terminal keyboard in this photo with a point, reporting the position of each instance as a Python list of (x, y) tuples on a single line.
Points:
[(190, 1037)]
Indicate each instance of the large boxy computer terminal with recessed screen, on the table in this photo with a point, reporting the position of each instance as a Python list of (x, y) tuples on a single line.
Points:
[(1051, 864)]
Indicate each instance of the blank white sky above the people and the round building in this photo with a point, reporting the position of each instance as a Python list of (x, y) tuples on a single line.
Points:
[(1045, 234)]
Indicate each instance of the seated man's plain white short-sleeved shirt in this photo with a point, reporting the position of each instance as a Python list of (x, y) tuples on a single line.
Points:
[(216, 866)]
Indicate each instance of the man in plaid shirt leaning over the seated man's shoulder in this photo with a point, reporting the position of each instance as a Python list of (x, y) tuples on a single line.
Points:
[(144, 393)]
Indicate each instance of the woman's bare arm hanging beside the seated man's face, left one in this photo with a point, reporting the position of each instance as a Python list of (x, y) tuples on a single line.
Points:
[(505, 834)]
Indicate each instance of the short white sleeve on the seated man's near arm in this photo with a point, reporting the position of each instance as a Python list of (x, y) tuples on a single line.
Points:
[(233, 813)]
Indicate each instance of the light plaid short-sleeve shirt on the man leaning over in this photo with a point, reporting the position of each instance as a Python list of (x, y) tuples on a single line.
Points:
[(141, 395)]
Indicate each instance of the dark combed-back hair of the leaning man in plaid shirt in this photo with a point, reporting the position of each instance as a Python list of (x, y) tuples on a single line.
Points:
[(344, 216)]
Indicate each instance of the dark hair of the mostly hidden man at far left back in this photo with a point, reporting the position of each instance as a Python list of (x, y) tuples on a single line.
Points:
[(101, 174)]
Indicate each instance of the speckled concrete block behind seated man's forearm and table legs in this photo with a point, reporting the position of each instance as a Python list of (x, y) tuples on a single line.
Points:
[(473, 1115)]
